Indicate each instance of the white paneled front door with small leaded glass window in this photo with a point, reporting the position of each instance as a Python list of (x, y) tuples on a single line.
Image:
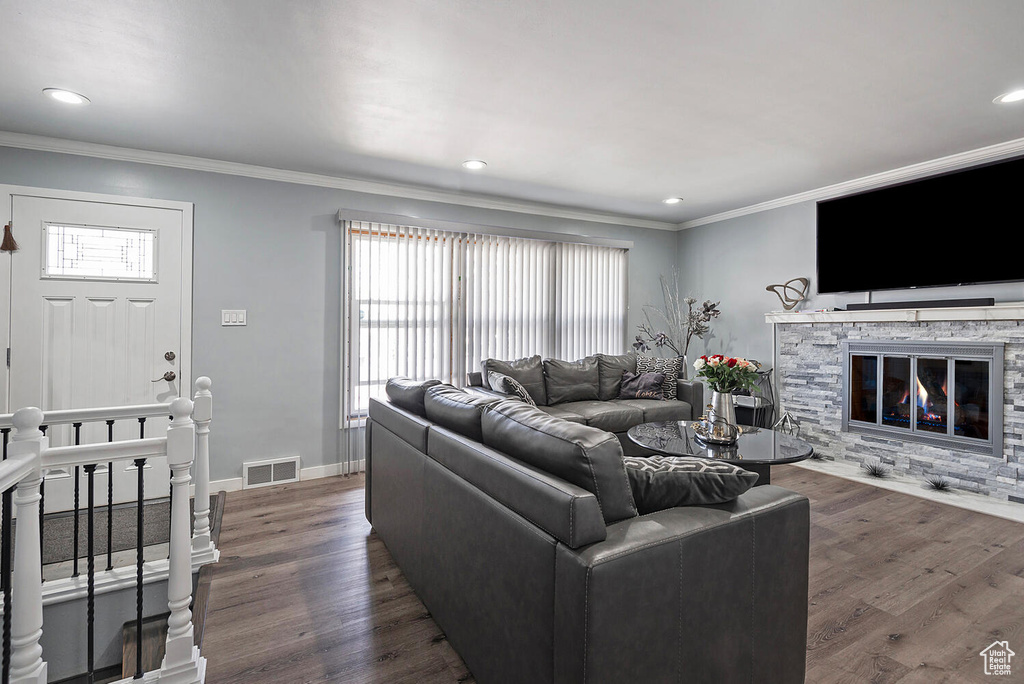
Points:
[(98, 317)]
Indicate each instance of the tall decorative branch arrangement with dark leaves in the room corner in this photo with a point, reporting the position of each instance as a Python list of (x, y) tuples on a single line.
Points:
[(681, 326)]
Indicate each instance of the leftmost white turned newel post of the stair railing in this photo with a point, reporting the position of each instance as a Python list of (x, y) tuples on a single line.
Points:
[(27, 666)]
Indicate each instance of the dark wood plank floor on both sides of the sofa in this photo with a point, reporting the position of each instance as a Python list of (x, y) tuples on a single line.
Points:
[(902, 590)]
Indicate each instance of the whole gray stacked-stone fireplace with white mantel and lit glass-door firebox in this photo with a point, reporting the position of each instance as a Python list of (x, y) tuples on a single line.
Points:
[(924, 392)]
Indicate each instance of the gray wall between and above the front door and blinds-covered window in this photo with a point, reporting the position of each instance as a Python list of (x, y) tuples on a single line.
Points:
[(274, 249)]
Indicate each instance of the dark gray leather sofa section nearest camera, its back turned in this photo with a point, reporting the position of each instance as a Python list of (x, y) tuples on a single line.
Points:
[(520, 533)]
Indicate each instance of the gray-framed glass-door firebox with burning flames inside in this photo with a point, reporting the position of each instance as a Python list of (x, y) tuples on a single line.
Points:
[(938, 393)]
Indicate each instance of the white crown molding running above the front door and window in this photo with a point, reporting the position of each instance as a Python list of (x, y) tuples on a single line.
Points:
[(42, 144)]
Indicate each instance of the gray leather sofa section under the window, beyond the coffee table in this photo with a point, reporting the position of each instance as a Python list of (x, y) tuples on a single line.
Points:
[(550, 380)]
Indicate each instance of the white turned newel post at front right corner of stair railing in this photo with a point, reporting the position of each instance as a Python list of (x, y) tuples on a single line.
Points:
[(183, 663)]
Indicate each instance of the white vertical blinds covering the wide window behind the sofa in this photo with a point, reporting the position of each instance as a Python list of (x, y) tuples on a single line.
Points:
[(425, 304)]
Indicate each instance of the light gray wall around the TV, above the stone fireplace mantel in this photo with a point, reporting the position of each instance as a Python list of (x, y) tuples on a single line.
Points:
[(735, 261)]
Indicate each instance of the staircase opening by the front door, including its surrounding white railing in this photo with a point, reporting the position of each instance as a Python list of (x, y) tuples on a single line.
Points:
[(111, 587)]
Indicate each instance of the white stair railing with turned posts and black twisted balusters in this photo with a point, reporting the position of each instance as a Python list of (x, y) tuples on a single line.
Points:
[(29, 457)]
